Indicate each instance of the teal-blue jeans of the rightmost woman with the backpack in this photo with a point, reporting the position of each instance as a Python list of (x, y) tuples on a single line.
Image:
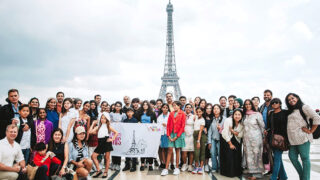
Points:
[(303, 150)]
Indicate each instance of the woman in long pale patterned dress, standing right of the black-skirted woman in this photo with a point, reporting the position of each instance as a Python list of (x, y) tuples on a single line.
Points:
[(252, 141)]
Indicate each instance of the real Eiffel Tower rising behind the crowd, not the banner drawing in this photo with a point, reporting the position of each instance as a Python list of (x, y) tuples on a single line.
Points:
[(170, 77)]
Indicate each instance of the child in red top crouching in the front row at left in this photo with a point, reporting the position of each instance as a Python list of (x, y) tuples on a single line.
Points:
[(43, 160)]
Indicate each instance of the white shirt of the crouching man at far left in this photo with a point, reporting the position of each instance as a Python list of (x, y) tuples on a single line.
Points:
[(9, 153)]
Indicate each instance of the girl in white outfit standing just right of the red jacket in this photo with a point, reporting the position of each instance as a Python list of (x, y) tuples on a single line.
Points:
[(189, 148)]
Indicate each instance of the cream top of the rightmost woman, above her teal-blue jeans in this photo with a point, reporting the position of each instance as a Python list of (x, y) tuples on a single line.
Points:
[(296, 122)]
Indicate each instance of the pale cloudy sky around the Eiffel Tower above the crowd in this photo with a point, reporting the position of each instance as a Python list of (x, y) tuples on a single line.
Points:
[(117, 48)]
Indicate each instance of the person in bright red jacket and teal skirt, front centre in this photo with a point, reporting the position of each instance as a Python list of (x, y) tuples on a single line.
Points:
[(175, 133)]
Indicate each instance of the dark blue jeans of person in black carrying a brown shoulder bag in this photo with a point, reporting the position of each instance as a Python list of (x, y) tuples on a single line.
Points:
[(278, 168)]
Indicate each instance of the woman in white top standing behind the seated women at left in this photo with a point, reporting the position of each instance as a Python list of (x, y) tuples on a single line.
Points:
[(66, 120)]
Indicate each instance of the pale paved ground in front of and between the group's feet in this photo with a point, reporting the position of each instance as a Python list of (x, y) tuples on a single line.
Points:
[(155, 175)]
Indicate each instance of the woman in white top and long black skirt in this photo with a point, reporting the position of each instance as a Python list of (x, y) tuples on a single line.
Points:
[(231, 145)]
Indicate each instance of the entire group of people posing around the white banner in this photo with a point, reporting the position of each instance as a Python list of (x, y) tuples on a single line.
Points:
[(69, 136)]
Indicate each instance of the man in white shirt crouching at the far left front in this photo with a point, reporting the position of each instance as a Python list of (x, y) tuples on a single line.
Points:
[(10, 151)]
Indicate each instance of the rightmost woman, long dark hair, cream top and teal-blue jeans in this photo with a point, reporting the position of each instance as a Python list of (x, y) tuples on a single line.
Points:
[(300, 133)]
